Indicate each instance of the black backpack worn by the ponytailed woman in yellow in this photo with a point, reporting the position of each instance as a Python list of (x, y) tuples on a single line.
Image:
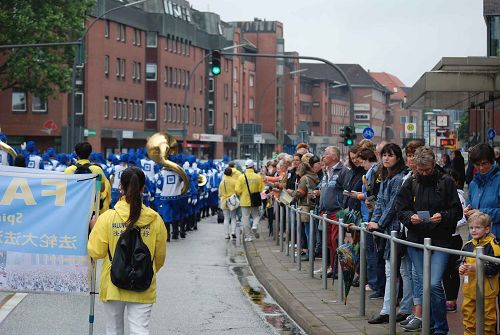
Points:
[(131, 266)]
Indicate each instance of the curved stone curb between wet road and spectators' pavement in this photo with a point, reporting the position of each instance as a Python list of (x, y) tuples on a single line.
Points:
[(293, 307)]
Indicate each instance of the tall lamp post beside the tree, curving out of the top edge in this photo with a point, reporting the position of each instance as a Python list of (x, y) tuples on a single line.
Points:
[(80, 43)]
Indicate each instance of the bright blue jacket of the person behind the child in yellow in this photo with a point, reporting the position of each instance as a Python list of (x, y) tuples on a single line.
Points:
[(484, 194)]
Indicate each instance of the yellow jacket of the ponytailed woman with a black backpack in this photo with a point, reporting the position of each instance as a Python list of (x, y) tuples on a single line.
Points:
[(105, 235)]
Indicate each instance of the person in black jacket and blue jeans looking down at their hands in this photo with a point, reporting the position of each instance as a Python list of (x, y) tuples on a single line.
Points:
[(429, 207)]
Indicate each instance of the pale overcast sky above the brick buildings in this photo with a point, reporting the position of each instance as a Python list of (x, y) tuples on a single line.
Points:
[(402, 37)]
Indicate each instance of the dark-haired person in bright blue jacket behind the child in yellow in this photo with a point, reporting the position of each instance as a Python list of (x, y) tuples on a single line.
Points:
[(484, 189)]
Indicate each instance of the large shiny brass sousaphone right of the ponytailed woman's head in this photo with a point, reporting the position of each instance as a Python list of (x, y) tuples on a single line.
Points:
[(159, 146)]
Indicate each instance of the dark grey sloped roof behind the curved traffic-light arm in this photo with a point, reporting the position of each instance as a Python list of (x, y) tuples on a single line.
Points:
[(354, 72)]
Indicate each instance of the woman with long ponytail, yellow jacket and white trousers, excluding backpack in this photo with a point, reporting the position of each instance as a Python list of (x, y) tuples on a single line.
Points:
[(128, 213)]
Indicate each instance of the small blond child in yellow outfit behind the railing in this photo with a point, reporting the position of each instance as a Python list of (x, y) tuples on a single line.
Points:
[(480, 231)]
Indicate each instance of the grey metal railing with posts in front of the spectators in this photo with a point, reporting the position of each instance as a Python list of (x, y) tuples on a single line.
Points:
[(287, 233)]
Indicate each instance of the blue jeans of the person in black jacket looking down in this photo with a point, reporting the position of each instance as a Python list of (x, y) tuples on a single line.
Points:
[(439, 324)]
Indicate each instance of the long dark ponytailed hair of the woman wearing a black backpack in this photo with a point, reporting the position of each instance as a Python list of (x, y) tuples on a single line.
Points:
[(132, 181)]
